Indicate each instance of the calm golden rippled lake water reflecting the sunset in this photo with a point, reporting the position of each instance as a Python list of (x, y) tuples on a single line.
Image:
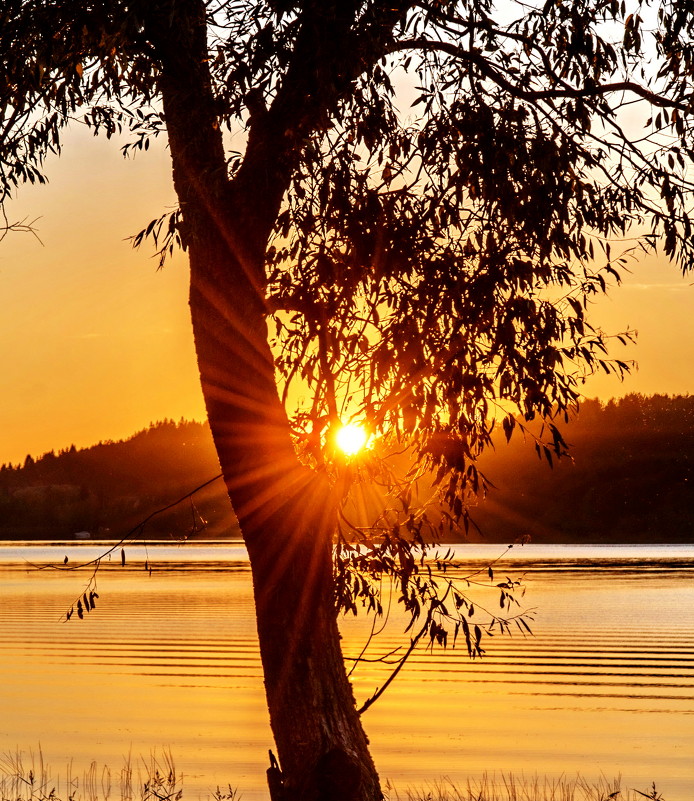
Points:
[(605, 687)]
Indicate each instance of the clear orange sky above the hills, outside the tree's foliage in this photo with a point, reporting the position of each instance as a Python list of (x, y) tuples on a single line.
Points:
[(95, 342)]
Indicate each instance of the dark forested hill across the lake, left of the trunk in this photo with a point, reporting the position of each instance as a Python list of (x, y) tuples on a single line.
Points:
[(109, 488)]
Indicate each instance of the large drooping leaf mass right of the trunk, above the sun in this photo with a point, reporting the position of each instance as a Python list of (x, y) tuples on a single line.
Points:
[(443, 239)]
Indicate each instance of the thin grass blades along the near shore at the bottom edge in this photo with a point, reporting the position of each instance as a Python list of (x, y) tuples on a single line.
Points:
[(27, 777)]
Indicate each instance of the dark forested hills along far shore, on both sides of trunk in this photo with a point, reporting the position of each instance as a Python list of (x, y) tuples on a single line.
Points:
[(630, 479)]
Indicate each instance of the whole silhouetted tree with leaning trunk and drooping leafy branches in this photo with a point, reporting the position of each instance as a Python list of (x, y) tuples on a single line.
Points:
[(429, 195)]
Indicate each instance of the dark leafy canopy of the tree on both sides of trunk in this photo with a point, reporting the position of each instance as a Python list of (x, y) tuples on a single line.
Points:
[(459, 187)]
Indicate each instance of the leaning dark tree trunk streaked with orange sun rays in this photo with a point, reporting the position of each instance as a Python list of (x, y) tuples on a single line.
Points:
[(285, 512)]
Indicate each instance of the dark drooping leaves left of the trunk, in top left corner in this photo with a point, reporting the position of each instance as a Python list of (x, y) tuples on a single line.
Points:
[(65, 63)]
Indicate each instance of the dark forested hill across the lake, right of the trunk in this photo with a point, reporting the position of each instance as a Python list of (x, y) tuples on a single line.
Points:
[(630, 477)]
